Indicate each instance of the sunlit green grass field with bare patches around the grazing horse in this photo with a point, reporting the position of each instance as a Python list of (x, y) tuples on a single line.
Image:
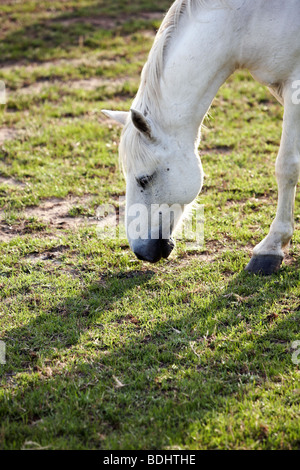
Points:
[(104, 351)]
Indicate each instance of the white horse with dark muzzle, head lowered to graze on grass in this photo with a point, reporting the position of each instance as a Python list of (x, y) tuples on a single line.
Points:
[(198, 46)]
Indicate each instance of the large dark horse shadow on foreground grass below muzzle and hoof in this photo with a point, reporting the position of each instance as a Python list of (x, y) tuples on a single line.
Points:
[(150, 384)]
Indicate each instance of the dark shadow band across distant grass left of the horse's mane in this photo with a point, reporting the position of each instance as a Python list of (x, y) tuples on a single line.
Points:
[(83, 27)]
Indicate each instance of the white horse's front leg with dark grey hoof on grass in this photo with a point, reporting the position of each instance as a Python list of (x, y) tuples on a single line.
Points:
[(268, 255)]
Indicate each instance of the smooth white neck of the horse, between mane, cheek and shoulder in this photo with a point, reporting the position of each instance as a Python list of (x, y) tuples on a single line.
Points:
[(198, 60)]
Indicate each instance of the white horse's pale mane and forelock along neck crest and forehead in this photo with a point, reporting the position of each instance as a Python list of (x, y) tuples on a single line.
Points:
[(132, 144)]
